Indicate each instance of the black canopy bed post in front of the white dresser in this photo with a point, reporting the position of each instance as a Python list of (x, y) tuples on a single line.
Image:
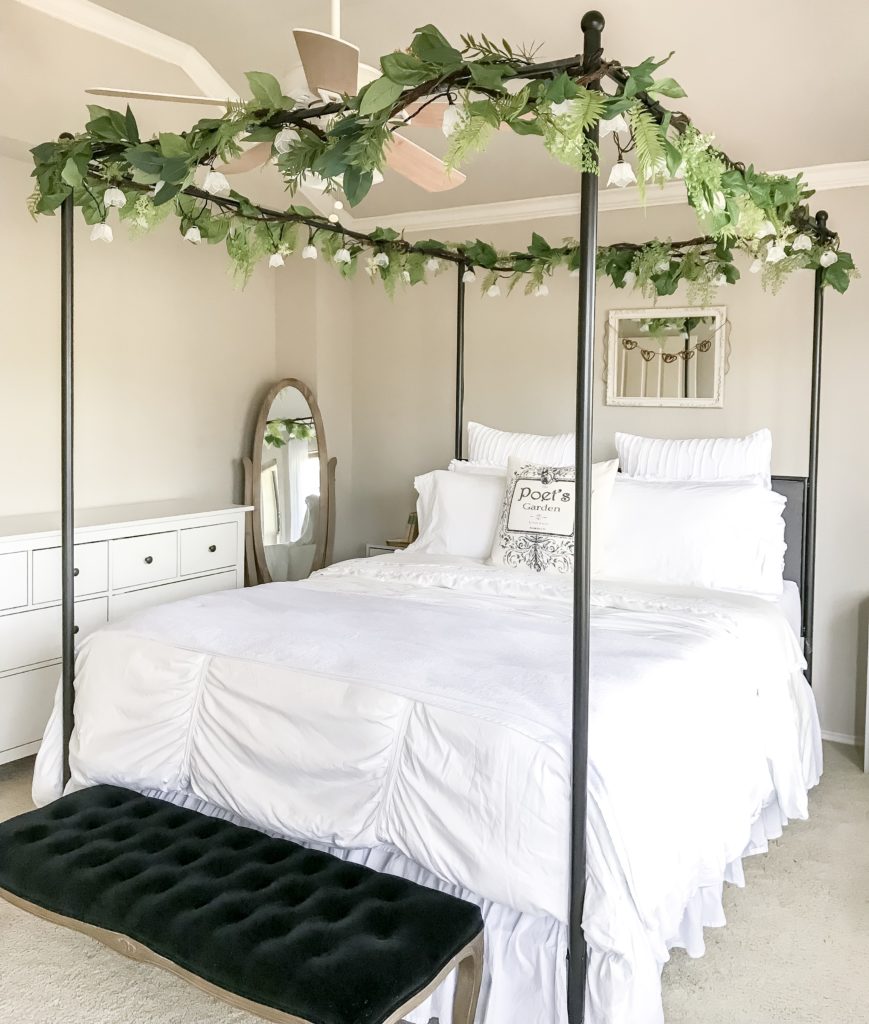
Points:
[(67, 497)]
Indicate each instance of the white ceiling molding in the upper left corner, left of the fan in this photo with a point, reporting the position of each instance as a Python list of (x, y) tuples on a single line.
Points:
[(101, 22)]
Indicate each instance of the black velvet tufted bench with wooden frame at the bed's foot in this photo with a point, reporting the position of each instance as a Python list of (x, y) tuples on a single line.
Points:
[(291, 934)]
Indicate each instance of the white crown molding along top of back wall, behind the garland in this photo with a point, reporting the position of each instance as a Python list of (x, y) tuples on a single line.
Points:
[(822, 178)]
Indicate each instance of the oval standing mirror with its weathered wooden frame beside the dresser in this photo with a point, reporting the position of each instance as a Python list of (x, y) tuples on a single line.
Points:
[(291, 485)]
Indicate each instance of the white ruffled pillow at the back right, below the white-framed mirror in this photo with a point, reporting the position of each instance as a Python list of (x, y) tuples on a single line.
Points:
[(704, 459)]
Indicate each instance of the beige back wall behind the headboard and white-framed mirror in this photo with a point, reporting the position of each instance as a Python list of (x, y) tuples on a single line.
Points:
[(520, 376)]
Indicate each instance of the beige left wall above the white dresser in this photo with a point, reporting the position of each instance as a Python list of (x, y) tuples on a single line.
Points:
[(169, 361)]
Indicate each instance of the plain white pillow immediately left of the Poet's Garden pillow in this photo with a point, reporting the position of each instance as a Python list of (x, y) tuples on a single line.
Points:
[(458, 514)]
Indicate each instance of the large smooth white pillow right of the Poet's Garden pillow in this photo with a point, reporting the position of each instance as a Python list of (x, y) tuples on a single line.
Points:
[(717, 536)]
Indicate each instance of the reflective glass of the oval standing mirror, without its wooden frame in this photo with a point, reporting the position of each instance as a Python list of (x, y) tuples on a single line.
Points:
[(290, 487)]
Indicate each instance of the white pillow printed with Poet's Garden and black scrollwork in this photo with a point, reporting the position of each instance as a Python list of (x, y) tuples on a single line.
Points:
[(536, 529)]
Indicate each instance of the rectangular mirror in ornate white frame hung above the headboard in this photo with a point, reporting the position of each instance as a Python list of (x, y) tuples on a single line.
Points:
[(667, 358)]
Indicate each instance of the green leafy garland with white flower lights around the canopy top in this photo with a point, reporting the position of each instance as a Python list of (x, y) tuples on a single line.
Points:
[(488, 86)]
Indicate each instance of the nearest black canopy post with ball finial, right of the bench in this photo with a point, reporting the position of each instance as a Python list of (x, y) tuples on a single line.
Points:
[(593, 25)]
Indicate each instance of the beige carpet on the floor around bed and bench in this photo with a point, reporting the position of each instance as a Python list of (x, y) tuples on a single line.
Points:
[(796, 950)]
